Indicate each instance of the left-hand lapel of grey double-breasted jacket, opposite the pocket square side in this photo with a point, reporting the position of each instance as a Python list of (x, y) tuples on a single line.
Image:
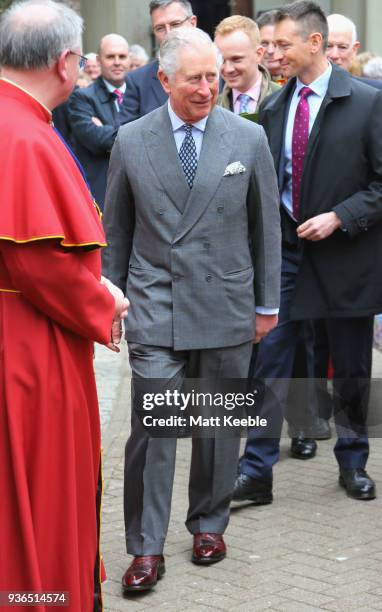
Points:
[(163, 155)]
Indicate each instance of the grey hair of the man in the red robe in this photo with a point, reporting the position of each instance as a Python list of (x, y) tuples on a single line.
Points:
[(34, 33)]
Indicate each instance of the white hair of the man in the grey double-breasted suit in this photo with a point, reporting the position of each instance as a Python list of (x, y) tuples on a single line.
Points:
[(178, 39)]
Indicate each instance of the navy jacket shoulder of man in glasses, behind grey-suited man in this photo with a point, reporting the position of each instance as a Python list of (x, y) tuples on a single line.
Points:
[(144, 93)]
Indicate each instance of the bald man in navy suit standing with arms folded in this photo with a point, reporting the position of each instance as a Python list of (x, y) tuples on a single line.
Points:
[(94, 113)]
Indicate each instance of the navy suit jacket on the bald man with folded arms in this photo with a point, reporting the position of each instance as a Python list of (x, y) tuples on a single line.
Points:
[(92, 144)]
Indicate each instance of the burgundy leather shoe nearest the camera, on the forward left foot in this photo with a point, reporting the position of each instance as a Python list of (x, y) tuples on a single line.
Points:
[(143, 573)]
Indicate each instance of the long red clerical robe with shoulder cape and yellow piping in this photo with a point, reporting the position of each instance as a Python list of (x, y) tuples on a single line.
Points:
[(52, 308)]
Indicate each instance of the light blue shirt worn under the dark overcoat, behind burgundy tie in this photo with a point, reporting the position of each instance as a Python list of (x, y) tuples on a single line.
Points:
[(319, 88)]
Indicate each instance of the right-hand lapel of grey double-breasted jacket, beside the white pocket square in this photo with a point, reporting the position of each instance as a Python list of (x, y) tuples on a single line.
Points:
[(217, 145)]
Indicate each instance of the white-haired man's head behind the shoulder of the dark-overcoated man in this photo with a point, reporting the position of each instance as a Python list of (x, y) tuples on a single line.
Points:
[(343, 44)]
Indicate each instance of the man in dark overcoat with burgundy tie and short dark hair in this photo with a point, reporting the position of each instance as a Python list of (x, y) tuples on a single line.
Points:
[(324, 129)]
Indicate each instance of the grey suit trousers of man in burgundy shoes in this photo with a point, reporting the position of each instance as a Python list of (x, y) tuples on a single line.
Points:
[(150, 462)]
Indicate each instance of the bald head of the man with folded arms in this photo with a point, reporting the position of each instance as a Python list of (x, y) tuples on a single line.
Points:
[(113, 56)]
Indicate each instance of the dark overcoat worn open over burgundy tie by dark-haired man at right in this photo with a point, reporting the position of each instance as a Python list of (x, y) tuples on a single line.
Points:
[(340, 276)]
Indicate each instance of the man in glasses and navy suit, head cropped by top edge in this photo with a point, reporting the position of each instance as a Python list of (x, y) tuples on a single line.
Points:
[(144, 93)]
